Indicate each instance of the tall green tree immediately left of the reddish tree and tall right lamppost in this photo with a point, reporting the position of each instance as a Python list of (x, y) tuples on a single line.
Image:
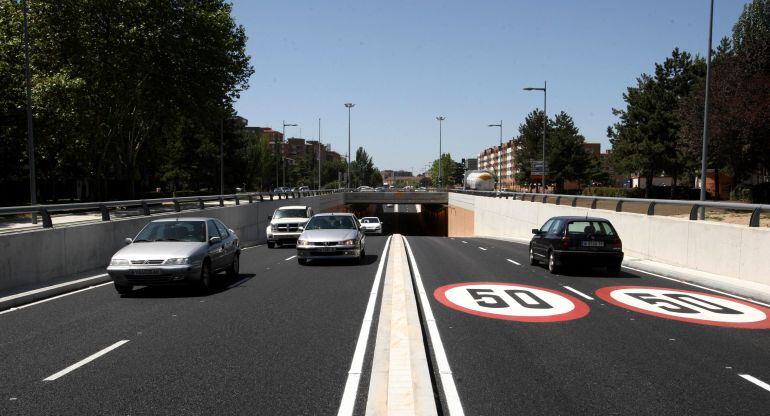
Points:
[(645, 140)]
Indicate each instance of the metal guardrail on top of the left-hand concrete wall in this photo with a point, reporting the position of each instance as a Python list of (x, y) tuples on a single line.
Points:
[(45, 211)]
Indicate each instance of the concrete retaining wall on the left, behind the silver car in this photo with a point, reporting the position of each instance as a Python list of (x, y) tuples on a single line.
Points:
[(45, 255)]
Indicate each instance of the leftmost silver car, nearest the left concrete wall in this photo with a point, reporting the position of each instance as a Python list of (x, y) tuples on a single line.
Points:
[(176, 251)]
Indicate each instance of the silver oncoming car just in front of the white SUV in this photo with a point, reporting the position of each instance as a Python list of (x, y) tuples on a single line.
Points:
[(328, 236)]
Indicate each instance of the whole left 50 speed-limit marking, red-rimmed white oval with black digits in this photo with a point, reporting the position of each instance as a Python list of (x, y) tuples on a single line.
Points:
[(511, 302)]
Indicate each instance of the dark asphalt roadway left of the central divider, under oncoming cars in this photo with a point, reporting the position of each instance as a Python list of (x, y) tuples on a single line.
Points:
[(278, 341)]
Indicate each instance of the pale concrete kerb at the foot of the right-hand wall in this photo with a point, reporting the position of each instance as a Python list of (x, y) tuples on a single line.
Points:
[(747, 289)]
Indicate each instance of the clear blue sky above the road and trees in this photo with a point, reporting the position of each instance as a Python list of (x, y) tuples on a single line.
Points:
[(405, 62)]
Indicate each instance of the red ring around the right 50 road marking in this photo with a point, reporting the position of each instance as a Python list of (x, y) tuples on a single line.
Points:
[(606, 294)]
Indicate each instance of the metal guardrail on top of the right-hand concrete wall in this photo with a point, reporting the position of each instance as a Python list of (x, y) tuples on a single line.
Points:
[(756, 209)]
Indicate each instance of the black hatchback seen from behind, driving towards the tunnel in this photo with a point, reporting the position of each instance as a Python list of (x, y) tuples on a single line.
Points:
[(564, 241)]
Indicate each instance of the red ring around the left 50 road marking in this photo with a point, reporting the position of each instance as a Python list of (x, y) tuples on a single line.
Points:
[(579, 308)]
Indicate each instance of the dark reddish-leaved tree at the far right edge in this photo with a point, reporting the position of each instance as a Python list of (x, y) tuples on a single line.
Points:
[(739, 100)]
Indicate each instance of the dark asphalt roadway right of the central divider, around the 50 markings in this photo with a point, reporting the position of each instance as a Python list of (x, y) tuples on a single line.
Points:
[(611, 361)]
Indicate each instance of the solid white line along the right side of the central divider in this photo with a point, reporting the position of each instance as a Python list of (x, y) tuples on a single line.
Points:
[(447, 380)]
